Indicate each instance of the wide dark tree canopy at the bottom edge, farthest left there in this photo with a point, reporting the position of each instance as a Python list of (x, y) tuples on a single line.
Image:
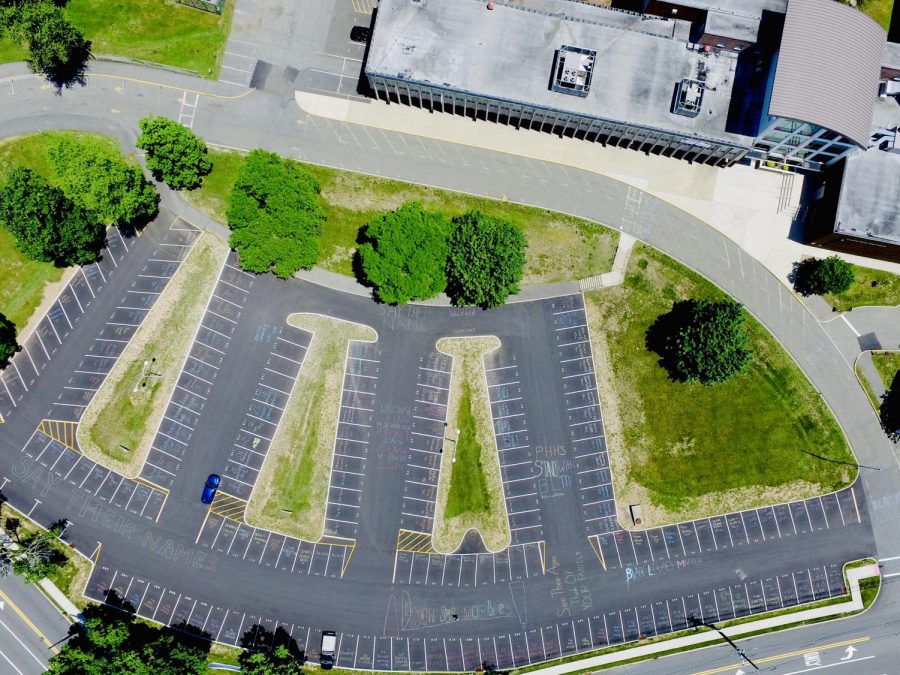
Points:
[(110, 642)]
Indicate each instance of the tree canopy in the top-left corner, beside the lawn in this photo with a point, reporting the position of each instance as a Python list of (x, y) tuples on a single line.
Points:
[(55, 47)]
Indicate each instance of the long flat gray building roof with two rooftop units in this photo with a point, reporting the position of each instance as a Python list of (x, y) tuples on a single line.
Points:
[(508, 53)]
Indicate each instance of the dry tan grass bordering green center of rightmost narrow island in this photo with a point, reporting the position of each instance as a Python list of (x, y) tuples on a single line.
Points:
[(492, 524)]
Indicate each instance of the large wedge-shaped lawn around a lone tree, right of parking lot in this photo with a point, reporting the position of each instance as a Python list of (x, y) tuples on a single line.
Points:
[(687, 450)]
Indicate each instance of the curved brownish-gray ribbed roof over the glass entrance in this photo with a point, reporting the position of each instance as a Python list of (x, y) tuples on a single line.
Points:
[(828, 68)]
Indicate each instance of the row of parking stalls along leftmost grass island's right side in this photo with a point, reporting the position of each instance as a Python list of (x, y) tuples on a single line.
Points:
[(198, 374)]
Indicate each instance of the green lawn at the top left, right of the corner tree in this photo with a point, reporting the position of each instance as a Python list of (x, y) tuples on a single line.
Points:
[(161, 31)]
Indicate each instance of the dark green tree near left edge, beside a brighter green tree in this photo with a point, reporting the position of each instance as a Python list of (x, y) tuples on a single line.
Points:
[(47, 225)]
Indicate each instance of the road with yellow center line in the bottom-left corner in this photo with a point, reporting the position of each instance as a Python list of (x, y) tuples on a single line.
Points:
[(30, 627)]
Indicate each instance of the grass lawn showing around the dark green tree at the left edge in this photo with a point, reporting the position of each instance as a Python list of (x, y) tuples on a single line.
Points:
[(23, 281)]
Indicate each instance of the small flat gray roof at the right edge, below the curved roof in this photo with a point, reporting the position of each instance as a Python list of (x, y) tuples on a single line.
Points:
[(870, 194)]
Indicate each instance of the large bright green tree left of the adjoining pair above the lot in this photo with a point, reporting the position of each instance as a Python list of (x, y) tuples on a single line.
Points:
[(275, 215)]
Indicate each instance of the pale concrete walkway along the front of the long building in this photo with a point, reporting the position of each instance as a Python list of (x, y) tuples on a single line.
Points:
[(754, 208)]
